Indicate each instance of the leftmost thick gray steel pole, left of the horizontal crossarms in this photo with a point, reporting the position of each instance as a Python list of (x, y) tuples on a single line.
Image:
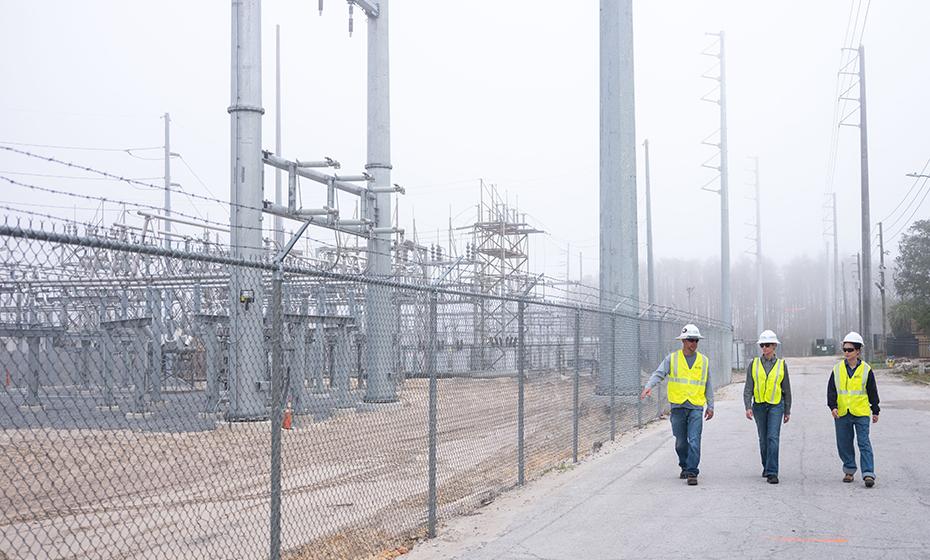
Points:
[(248, 387)]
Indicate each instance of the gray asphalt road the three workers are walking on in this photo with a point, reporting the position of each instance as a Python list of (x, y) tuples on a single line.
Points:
[(628, 502)]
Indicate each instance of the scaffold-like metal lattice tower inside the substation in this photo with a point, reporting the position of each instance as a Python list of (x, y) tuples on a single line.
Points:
[(500, 251)]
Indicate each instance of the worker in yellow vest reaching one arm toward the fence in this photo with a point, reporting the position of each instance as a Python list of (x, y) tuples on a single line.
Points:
[(689, 391)]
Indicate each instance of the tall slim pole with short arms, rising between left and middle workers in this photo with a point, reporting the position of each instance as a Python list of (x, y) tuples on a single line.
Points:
[(726, 313)]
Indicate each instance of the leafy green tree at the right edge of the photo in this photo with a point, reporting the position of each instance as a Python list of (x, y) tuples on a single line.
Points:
[(912, 279)]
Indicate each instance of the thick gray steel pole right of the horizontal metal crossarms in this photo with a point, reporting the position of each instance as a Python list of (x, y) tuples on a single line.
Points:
[(379, 312)]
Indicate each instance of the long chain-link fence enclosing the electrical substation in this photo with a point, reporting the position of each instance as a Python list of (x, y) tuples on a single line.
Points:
[(183, 404)]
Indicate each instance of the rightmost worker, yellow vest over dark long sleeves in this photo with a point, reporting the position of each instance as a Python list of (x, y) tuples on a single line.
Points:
[(852, 396)]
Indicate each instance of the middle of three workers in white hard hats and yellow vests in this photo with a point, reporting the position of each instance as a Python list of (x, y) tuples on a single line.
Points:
[(767, 396)]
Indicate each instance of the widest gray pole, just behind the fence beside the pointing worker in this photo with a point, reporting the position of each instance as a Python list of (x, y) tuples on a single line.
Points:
[(619, 259)]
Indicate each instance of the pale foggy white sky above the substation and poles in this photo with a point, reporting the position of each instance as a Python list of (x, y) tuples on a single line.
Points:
[(500, 90)]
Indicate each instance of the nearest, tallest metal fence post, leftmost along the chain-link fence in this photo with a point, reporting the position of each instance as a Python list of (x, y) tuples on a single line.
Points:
[(277, 317)]
